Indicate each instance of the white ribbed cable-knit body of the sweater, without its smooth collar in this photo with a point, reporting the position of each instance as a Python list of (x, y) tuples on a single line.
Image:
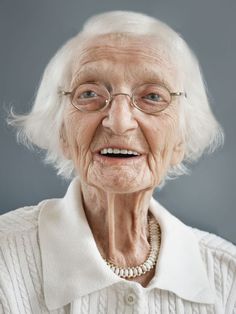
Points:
[(21, 289)]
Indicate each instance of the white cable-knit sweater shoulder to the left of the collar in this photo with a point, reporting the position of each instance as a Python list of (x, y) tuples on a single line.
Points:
[(20, 260)]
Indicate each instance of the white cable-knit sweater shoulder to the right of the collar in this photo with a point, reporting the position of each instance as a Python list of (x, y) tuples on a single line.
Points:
[(219, 257)]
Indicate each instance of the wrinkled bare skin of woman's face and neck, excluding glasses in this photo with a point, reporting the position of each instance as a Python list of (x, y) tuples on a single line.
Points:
[(117, 194)]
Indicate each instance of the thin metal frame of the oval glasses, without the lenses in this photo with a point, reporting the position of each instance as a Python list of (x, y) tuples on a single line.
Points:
[(111, 97)]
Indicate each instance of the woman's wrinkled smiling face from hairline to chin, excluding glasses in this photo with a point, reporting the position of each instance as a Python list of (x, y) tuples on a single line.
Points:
[(120, 63)]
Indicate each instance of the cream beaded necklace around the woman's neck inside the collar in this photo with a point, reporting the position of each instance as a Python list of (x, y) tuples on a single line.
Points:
[(135, 271)]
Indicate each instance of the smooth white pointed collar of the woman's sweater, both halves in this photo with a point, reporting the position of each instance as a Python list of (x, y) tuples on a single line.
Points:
[(73, 267)]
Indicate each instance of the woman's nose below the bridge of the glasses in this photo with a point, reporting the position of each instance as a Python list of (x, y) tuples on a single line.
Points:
[(120, 115)]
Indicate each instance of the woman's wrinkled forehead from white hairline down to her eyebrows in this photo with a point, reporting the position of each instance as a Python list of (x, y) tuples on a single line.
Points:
[(135, 56)]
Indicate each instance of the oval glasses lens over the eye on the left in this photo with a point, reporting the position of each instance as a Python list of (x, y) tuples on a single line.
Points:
[(90, 97)]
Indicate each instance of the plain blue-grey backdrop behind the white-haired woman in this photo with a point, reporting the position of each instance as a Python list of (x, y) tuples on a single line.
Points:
[(32, 31)]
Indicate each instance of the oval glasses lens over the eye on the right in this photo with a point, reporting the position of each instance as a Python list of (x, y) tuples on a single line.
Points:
[(151, 98)]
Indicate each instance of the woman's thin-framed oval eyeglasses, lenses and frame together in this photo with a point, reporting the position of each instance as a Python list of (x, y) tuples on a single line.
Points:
[(148, 98)]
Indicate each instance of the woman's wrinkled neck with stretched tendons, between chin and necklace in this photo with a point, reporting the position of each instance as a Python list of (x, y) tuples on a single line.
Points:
[(119, 224)]
